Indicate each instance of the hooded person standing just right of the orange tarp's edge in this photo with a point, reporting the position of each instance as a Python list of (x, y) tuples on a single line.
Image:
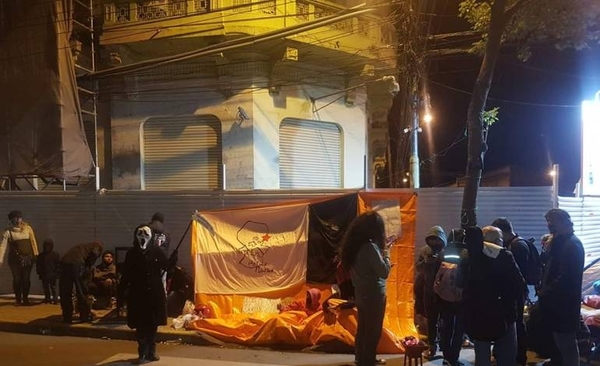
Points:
[(428, 263)]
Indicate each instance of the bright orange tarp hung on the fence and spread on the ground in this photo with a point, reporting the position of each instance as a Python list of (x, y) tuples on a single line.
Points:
[(230, 324)]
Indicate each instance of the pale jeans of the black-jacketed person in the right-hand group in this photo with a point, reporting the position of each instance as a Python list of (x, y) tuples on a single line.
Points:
[(505, 349)]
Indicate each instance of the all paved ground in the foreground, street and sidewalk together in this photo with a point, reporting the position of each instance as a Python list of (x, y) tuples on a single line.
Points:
[(34, 336)]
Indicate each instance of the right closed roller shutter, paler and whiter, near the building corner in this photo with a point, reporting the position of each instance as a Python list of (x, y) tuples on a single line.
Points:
[(310, 154)]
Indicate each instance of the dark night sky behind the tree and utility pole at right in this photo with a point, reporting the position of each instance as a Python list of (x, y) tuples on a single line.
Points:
[(540, 115)]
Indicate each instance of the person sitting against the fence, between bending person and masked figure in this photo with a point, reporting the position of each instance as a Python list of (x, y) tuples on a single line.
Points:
[(103, 285)]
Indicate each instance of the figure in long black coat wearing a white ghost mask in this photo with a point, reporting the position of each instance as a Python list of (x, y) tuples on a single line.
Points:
[(142, 283)]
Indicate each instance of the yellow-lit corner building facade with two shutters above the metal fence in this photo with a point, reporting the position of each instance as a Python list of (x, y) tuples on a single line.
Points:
[(240, 94)]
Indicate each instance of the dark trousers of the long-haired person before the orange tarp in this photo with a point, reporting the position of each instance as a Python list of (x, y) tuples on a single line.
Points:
[(371, 311)]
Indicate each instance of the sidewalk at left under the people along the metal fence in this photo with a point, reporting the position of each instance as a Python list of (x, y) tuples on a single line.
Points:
[(40, 318)]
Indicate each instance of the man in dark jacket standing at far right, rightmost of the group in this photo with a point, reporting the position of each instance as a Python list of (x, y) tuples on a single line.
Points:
[(560, 292)]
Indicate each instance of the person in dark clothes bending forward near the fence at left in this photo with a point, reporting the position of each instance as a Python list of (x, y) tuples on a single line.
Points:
[(75, 268)]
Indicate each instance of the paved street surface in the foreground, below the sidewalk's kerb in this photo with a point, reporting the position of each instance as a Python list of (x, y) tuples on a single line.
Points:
[(33, 350)]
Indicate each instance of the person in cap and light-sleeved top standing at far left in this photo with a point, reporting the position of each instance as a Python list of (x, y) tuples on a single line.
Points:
[(22, 251)]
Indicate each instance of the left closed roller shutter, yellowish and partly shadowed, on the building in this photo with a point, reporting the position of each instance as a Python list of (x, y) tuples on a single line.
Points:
[(182, 152)]
